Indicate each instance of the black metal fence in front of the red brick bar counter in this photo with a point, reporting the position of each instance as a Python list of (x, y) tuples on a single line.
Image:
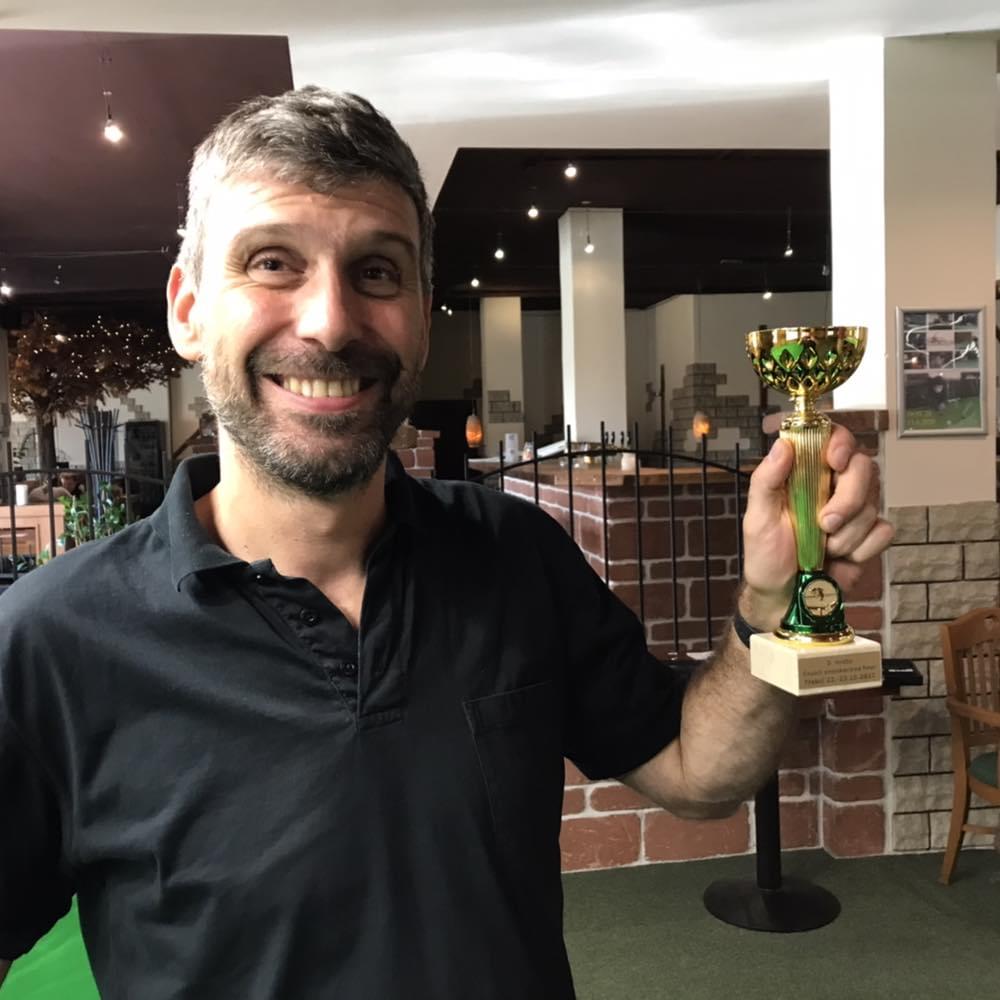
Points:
[(665, 550)]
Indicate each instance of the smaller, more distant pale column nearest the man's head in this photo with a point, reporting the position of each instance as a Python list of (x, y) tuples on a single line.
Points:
[(502, 411)]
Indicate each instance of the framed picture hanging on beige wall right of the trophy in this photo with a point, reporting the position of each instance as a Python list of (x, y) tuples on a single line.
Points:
[(941, 371)]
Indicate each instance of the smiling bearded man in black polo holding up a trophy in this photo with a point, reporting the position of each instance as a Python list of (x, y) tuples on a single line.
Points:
[(308, 741)]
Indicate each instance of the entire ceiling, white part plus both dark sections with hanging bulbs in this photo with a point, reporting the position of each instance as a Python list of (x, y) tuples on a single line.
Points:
[(705, 121)]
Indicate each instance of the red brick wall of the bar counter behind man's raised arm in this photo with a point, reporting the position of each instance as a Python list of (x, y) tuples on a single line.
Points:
[(833, 777)]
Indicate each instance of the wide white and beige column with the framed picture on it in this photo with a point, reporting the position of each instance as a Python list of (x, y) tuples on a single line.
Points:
[(913, 186)]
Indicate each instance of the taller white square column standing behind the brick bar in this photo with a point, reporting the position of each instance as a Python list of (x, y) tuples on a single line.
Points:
[(592, 289)]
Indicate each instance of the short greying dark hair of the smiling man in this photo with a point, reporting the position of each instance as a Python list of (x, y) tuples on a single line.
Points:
[(310, 136)]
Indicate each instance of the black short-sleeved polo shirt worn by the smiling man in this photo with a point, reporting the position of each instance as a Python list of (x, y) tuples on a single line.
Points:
[(253, 800)]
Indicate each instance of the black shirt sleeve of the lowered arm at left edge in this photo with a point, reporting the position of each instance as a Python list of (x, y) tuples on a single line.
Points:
[(35, 890)]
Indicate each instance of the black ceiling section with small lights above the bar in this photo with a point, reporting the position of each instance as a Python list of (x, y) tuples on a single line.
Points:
[(704, 221)]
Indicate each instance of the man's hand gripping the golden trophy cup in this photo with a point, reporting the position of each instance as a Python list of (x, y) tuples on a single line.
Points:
[(855, 531)]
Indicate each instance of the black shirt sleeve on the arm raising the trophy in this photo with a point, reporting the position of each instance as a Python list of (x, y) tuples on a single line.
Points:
[(622, 704)]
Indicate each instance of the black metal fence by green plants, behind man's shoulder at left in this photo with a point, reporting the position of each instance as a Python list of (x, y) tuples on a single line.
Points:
[(136, 494)]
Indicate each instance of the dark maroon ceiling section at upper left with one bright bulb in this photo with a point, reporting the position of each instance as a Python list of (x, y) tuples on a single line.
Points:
[(80, 218)]
